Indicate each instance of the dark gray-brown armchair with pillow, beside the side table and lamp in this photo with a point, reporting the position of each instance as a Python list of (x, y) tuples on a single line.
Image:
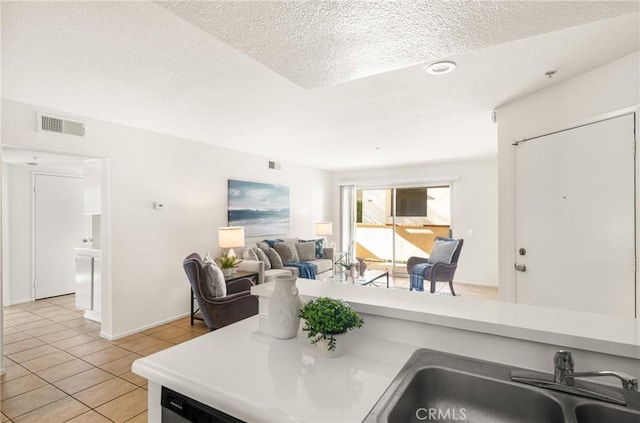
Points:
[(238, 304)]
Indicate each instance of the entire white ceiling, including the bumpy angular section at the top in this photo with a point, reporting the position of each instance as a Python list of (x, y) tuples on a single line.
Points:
[(340, 84)]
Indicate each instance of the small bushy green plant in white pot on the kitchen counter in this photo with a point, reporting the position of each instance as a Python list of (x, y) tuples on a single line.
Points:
[(325, 320)]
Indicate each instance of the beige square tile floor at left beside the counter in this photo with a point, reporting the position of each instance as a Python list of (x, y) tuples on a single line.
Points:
[(58, 369)]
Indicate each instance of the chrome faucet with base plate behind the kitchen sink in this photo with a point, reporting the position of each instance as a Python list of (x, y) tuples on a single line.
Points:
[(563, 379)]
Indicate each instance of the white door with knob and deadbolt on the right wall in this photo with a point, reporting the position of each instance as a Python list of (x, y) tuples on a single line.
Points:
[(575, 218)]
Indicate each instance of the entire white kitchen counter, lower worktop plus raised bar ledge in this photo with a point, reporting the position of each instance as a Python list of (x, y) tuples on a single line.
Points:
[(245, 373)]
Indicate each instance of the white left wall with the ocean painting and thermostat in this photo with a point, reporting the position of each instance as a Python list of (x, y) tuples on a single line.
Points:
[(147, 282)]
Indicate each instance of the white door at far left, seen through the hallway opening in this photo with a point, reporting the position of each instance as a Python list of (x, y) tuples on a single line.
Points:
[(60, 225)]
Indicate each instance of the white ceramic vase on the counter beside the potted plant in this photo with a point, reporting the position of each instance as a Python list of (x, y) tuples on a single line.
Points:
[(284, 308)]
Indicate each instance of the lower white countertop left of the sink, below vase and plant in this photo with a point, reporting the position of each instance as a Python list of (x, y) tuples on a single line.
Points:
[(256, 378)]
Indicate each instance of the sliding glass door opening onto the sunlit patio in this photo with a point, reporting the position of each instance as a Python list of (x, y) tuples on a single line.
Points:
[(393, 224)]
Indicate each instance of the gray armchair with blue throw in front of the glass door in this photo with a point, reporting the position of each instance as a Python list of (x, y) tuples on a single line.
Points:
[(436, 270)]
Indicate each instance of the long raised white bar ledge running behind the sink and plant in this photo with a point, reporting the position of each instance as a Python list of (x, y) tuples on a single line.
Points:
[(588, 331)]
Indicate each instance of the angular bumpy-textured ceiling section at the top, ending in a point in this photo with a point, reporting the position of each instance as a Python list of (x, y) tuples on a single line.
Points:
[(319, 43)]
